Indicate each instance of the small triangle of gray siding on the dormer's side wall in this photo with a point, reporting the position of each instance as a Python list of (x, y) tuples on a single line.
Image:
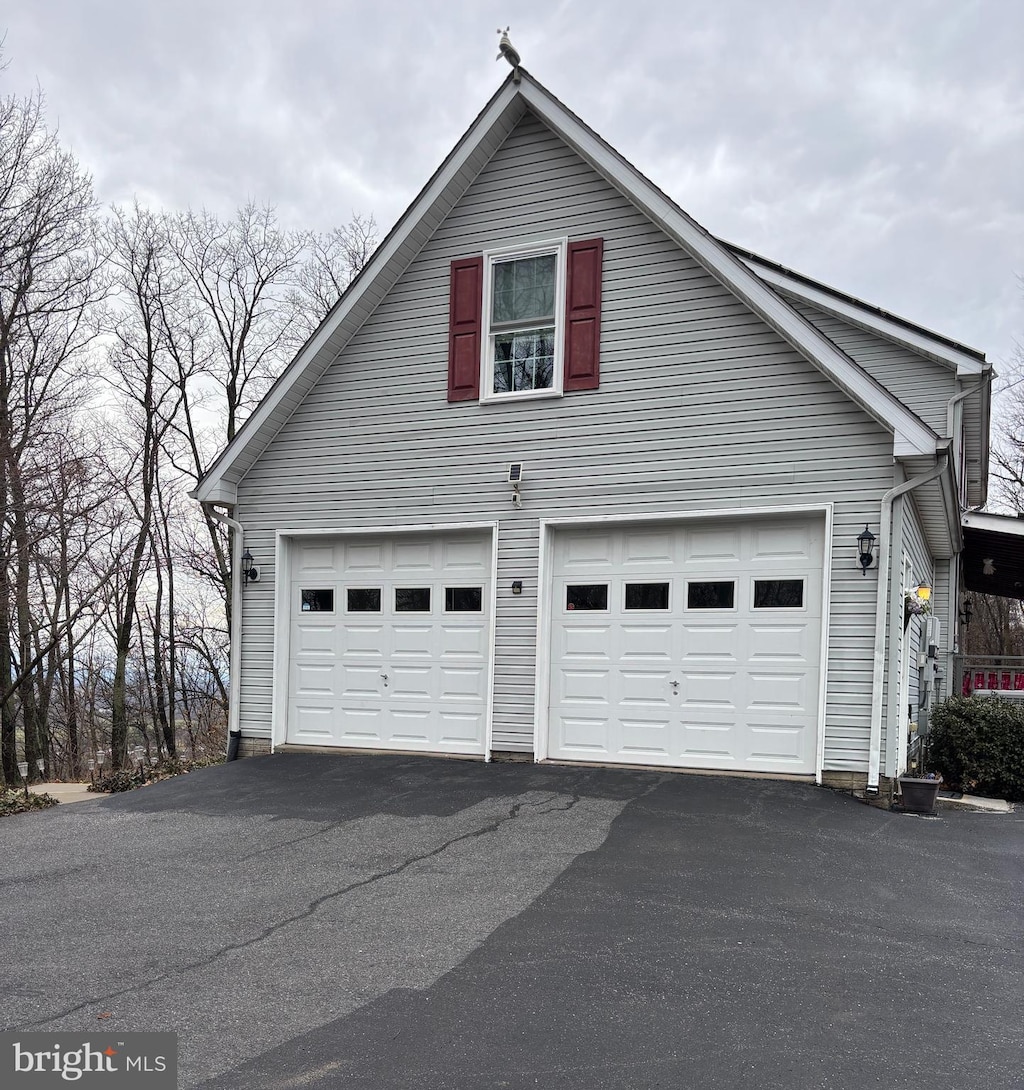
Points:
[(923, 385)]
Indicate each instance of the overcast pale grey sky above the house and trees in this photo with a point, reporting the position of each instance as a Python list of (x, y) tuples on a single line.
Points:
[(875, 146)]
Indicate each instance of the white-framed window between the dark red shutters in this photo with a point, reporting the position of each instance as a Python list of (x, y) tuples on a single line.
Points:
[(524, 321)]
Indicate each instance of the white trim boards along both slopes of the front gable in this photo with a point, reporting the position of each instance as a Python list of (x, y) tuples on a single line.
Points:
[(912, 435)]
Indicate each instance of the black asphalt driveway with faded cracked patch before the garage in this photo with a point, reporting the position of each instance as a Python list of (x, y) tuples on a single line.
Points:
[(316, 922)]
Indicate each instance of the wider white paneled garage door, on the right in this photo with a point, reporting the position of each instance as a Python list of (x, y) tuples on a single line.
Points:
[(691, 646)]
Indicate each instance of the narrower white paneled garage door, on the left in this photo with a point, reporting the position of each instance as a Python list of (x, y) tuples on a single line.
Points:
[(391, 643)]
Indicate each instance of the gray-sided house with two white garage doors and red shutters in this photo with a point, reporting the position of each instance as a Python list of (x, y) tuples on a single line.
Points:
[(563, 476)]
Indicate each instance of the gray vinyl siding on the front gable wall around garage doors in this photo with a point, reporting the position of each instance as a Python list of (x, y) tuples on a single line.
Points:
[(702, 407)]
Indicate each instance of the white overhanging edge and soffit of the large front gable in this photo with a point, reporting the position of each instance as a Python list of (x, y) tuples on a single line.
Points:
[(512, 101)]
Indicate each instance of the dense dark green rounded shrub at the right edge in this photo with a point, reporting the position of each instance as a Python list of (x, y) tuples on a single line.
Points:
[(978, 744)]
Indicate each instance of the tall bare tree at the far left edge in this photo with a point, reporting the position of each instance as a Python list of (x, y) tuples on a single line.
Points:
[(49, 285)]
